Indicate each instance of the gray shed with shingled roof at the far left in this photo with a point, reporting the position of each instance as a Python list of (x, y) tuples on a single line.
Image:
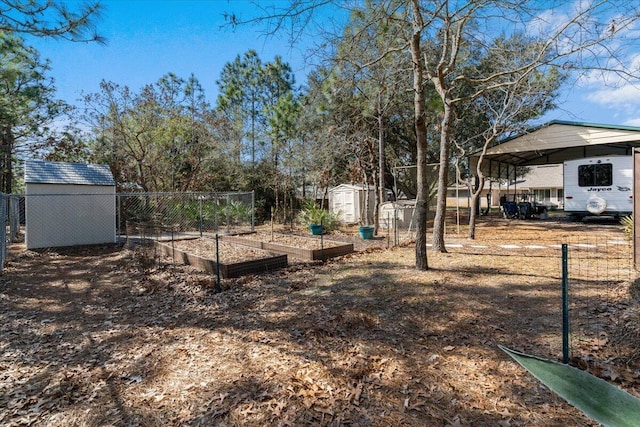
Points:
[(68, 204)]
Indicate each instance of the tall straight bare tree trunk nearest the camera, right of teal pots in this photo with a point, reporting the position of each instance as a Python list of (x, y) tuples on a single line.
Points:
[(422, 195)]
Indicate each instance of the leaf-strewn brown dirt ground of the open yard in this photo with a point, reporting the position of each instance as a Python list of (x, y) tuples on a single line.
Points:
[(105, 336)]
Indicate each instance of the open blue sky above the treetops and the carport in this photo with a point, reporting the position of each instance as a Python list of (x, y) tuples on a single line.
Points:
[(148, 39)]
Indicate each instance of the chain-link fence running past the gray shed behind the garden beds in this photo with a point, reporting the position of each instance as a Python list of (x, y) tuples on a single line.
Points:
[(52, 220)]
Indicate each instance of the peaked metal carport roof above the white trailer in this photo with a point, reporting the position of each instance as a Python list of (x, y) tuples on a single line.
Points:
[(557, 141)]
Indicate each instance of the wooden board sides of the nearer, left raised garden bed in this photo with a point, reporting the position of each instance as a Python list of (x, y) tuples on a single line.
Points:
[(227, 271)]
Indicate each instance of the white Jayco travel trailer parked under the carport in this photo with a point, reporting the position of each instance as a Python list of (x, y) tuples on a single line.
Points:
[(599, 186)]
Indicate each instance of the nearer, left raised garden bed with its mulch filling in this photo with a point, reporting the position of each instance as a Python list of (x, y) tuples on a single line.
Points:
[(234, 260)]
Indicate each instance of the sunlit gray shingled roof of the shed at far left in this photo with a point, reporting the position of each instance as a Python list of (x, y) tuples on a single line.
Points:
[(41, 172)]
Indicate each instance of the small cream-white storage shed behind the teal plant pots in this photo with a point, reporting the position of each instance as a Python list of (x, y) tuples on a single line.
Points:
[(348, 200)]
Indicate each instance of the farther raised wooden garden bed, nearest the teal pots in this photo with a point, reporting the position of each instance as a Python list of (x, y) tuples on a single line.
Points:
[(306, 248)]
